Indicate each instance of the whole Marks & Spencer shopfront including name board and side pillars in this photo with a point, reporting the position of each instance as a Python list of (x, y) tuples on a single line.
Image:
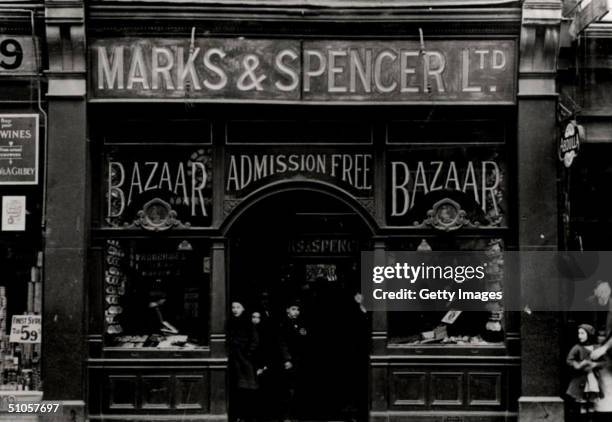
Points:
[(224, 152)]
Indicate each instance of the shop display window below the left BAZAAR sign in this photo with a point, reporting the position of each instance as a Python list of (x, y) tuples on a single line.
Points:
[(156, 293)]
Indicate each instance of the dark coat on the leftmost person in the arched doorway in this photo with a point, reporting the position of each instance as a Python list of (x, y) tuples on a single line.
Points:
[(242, 344)]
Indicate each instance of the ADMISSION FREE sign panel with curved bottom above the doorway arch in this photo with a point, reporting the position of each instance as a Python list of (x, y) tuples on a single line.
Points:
[(249, 169)]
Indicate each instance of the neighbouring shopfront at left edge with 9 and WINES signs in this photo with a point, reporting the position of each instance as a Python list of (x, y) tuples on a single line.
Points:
[(22, 129)]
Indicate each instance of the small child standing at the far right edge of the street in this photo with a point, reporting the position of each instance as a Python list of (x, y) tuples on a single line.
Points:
[(584, 386)]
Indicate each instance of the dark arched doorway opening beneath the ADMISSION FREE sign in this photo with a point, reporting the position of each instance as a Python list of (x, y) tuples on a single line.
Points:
[(303, 246)]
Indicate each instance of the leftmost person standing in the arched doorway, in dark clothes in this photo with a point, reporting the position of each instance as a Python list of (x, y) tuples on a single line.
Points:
[(242, 344)]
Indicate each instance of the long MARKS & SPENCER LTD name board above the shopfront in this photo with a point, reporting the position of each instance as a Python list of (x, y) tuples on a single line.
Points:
[(400, 71)]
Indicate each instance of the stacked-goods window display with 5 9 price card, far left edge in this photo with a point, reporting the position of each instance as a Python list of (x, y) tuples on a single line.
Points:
[(20, 319)]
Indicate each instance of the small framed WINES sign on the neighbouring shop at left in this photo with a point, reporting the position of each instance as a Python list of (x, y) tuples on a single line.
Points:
[(19, 149)]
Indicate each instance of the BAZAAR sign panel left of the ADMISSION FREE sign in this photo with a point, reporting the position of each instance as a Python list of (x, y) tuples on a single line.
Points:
[(157, 188)]
